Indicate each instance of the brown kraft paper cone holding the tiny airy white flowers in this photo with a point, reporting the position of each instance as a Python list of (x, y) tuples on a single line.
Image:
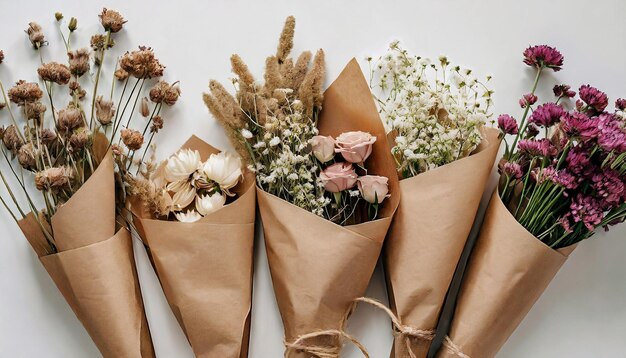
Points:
[(427, 237)]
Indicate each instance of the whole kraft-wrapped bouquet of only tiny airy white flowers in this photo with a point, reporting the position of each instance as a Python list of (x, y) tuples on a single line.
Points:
[(444, 155)]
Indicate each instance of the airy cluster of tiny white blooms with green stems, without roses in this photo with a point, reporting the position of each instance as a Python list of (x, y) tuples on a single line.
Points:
[(436, 110)]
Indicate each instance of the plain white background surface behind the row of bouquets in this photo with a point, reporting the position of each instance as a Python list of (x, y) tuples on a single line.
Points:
[(582, 314)]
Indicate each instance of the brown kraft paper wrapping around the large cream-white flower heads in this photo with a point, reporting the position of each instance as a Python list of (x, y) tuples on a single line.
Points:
[(205, 269)]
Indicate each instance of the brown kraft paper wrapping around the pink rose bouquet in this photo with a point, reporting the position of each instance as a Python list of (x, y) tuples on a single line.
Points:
[(318, 268)]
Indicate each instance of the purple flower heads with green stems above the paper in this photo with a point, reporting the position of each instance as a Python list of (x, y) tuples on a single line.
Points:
[(570, 164)]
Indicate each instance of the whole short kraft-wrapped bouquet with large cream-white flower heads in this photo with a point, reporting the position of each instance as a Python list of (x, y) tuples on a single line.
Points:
[(203, 258)]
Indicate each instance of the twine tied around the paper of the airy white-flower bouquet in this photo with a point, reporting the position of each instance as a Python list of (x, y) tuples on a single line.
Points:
[(401, 331)]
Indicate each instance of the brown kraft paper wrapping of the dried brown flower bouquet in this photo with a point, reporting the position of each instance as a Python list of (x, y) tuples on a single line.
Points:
[(94, 267)]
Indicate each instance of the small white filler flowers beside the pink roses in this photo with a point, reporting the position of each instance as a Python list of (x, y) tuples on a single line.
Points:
[(284, 163)]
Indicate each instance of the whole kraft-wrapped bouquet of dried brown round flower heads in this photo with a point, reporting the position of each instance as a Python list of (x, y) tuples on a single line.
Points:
[(59, 152)]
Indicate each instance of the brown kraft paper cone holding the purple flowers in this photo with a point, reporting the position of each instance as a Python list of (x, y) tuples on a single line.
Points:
[(507, 273)]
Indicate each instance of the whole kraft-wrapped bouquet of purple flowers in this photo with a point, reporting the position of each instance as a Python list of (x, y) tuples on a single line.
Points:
[(562, 178)]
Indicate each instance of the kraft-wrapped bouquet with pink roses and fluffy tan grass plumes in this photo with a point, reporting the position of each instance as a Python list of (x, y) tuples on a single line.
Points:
[(326, 185)]
